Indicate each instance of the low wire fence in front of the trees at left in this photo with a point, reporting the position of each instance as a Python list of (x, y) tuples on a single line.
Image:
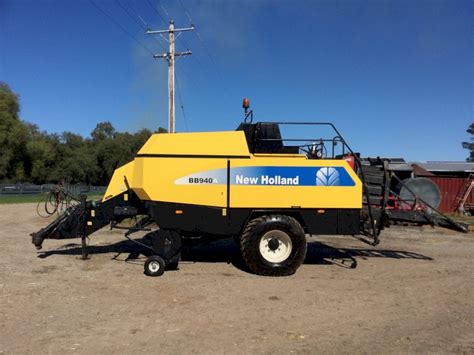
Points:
[(31, 189)]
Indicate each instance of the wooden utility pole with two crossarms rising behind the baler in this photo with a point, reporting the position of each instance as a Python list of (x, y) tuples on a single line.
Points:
[(170, 57)]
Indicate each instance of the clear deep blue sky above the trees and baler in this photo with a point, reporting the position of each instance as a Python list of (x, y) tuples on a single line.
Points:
[(396, 77)]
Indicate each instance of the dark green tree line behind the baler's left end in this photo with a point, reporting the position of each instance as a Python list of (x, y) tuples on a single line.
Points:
[(28, 154)]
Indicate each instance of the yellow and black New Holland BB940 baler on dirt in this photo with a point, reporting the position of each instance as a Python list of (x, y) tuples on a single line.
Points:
[(265, 191)]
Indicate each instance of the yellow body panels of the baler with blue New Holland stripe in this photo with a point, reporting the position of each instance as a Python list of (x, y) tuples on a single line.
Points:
[(202, 169)]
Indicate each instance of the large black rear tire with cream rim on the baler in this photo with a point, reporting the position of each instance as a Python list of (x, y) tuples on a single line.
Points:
[(273, 245)]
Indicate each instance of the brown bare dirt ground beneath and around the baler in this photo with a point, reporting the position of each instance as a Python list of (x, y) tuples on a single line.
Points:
[(412, 293)]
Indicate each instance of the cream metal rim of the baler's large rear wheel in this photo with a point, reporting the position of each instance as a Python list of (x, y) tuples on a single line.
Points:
[(275, 246)]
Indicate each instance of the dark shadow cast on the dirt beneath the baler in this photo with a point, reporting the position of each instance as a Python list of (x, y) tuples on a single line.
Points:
[(227, 251)]
